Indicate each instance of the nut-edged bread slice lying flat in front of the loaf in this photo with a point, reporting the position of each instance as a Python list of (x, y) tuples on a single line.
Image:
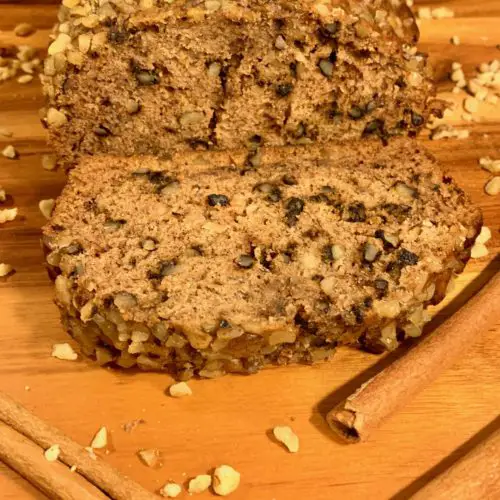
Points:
[(203, 264)]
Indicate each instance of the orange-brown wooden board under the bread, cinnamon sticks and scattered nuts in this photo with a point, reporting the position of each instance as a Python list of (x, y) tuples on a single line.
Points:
[(227, 421)]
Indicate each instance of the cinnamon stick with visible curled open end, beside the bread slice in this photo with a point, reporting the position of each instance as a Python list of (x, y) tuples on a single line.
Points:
[(386, 392)]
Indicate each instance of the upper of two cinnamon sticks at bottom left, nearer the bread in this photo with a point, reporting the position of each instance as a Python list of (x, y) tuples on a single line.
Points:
[(99, 473)]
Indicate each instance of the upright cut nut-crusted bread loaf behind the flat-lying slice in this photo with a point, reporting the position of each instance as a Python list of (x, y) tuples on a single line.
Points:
[(149, 76)]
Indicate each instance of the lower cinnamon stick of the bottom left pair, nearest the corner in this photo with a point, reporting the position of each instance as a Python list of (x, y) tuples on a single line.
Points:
[(52, 478)]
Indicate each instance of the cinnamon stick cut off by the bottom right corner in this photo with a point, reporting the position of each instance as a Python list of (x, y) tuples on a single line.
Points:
[(476, 476)]
